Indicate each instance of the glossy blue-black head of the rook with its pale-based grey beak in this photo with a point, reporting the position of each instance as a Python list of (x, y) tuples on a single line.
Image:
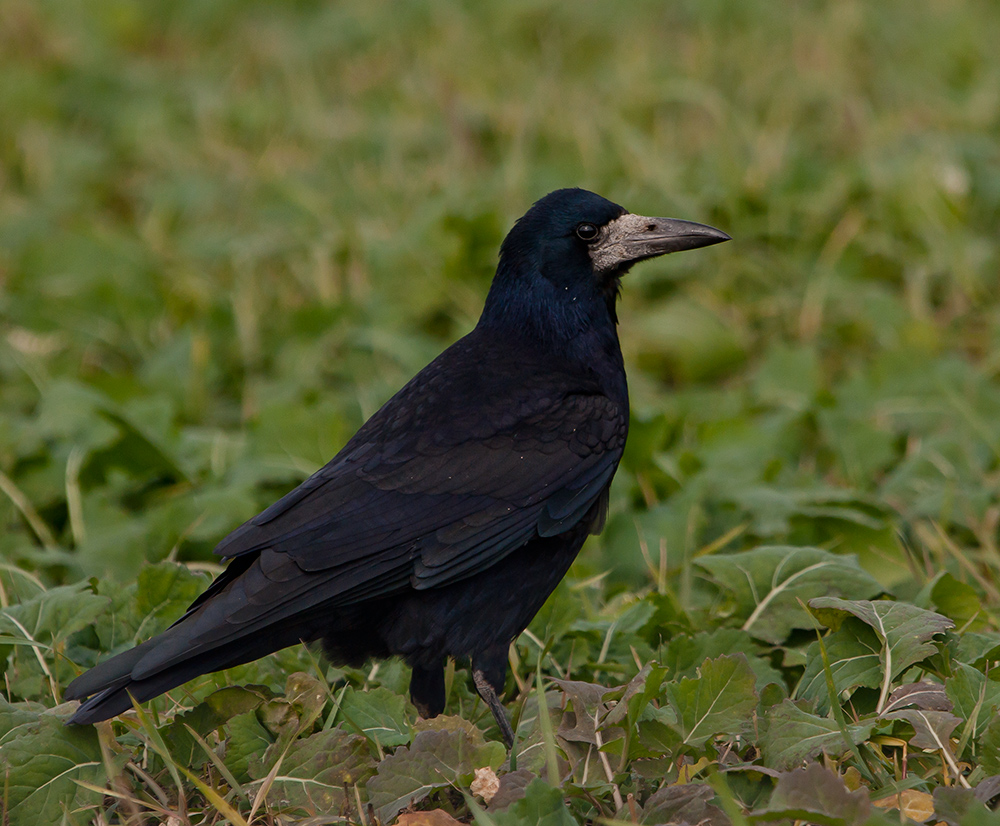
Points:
[(573, 246)]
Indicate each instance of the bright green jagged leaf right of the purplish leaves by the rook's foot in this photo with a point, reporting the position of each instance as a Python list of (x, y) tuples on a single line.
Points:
[(719, 701)]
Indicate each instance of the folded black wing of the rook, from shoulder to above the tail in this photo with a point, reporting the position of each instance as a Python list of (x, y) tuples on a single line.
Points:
[(436, 507)]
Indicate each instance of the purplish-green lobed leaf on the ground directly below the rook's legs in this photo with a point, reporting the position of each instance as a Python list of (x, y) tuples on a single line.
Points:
[(446, 752)]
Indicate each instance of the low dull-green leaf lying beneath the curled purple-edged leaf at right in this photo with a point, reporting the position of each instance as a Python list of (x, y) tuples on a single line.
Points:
[(791, 736)]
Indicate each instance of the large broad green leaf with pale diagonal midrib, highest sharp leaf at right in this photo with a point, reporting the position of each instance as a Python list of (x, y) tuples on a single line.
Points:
[(767, 585)]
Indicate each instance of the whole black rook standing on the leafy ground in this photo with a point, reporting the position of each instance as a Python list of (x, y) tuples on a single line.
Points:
[(444, 523)]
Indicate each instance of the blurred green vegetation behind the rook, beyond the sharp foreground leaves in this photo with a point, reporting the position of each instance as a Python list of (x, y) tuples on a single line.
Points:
[(230, 230)]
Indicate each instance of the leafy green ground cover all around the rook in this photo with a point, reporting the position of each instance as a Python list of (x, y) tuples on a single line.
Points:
[(229, 231)]
